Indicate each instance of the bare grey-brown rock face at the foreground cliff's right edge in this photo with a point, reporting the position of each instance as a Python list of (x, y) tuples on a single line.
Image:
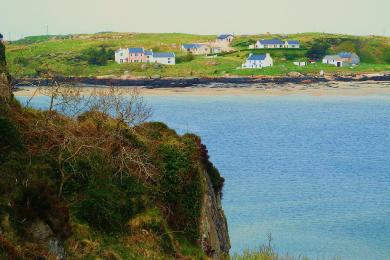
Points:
[(214, 230)]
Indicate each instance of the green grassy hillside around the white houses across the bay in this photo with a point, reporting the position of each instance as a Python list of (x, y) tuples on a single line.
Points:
[(61, 55)]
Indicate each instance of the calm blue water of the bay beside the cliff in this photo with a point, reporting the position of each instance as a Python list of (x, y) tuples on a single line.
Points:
[(313, 171)]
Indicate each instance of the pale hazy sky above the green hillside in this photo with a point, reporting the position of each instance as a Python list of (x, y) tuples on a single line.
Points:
[(30, 17)]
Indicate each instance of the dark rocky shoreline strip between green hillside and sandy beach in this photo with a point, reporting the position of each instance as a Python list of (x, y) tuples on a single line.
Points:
[(242, 81)]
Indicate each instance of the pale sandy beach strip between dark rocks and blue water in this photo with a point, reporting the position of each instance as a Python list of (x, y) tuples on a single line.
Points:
[(316, 89)]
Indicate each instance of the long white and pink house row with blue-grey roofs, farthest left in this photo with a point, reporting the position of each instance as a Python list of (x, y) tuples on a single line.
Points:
[(138, 55)]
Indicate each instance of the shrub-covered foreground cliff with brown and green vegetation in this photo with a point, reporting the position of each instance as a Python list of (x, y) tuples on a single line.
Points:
[(93, 187)]
